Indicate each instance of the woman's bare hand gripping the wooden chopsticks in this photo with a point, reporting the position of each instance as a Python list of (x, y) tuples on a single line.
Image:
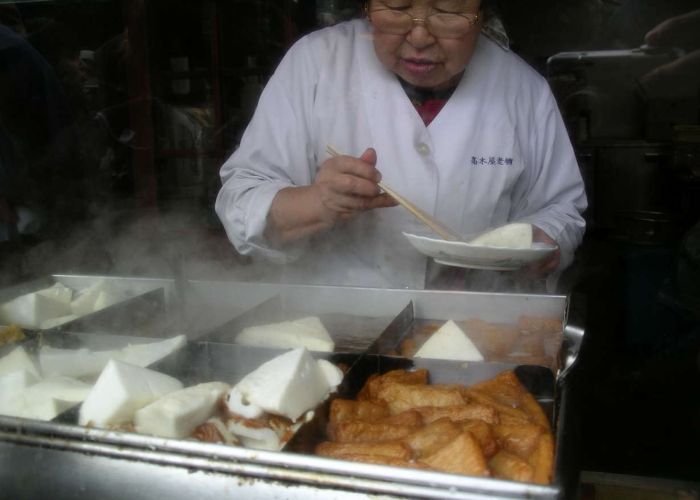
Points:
[(347, 186)]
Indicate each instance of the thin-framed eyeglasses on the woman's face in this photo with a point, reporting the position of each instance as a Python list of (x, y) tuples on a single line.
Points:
[(439, 24)]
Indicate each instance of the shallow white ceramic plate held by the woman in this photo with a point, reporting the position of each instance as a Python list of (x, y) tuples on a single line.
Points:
[(460, 254)]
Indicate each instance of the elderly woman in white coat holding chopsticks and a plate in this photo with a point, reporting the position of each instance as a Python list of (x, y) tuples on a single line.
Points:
[(413, 94)]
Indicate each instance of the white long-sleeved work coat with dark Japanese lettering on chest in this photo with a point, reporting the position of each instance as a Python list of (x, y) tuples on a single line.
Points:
[(497, 152)]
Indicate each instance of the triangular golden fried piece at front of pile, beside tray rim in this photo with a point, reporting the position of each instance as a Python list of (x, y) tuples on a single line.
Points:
[(462, 455)]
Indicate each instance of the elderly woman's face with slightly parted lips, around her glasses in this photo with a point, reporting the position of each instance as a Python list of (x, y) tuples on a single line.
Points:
[(419, 57)]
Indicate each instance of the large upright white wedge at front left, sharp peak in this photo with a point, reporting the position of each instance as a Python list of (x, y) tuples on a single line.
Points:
[(120, 390)]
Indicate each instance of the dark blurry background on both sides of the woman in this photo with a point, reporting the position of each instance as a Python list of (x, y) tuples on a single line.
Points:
[(115, 117)]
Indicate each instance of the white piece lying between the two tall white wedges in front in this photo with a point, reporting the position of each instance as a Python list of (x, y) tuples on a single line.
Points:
[(178, 413)]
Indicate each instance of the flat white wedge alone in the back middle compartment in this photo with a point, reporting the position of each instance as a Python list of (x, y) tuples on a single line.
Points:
[(306, 332)]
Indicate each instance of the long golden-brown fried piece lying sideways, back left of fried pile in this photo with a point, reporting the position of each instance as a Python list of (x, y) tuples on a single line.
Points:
[(401, 397)]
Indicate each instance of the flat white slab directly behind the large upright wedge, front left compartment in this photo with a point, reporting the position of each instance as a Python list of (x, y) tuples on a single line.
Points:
[(74, 362)]
